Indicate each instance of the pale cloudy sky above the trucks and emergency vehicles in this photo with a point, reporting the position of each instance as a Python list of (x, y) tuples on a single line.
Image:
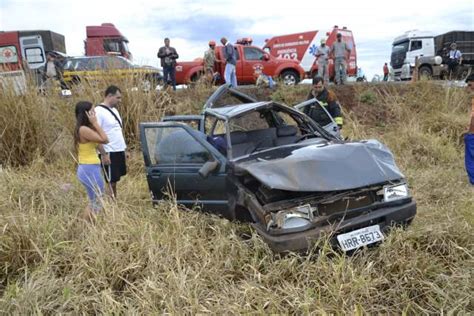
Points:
[(190, 24)]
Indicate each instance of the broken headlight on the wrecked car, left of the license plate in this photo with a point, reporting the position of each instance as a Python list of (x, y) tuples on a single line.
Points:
[(296, 217)]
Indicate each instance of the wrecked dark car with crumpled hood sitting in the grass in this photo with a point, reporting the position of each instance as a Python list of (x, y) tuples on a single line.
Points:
[(273, 166)]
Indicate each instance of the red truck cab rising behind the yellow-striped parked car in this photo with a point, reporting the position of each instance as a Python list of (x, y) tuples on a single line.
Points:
[(106, 39)]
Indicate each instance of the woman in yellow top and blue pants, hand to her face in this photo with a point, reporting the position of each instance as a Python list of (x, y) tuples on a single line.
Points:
[(87, 135)]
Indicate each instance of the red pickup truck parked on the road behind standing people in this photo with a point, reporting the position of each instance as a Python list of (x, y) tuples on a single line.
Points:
[(251, 60)]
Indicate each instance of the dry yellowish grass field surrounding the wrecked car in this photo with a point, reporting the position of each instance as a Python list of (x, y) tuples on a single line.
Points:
[(140, 260)]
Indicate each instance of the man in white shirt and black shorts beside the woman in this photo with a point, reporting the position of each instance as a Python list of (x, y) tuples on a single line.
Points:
[(113, 157)]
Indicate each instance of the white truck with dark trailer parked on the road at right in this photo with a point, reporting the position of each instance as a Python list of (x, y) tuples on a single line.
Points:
[(430, 52)]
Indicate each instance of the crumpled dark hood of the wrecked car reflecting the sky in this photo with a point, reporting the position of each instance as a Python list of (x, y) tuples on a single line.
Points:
[(323, 166)]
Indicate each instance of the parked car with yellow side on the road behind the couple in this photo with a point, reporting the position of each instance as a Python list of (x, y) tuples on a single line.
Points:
[(77, 69)]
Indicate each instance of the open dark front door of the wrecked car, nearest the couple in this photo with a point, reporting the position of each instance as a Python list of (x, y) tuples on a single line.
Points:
[(178, 159)]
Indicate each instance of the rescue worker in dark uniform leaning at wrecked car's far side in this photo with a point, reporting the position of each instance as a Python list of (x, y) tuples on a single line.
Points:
[(328, 99)]
